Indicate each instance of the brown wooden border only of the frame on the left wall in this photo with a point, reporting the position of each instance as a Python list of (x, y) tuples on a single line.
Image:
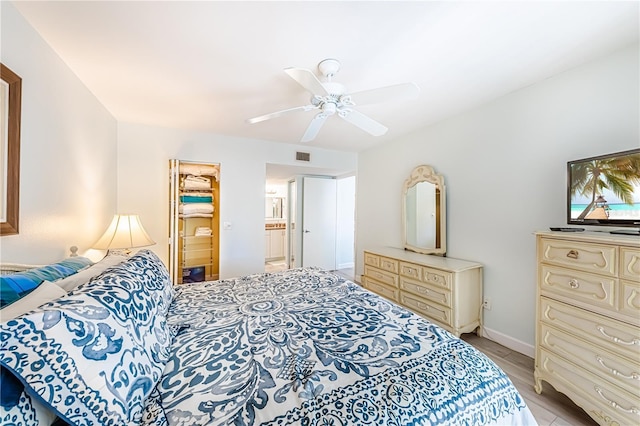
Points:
[(11, 145)]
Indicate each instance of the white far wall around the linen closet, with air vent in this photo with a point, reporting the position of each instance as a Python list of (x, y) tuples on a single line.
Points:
[(143, 184)]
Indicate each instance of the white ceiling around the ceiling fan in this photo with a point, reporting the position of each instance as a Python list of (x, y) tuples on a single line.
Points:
[(210, 65)]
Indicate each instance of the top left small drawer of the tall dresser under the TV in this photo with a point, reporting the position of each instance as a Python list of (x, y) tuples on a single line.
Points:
[(587, 257)]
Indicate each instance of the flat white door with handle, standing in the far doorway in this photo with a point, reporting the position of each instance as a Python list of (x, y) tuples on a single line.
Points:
[(319, 223)]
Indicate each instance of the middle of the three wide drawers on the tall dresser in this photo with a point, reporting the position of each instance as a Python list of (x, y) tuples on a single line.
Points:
[(611, 367)]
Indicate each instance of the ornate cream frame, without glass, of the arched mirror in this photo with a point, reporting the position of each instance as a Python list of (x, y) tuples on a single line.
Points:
[(425, 173)]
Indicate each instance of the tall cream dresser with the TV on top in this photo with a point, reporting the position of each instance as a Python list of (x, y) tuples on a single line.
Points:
[(588, 322)]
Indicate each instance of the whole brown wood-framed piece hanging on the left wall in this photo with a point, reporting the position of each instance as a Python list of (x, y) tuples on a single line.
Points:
[(10, 109)]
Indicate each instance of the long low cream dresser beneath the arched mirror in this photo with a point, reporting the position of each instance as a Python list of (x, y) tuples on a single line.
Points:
[(446, 291)]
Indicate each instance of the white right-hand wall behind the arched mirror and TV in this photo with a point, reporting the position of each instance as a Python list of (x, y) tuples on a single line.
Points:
[(505, 170)]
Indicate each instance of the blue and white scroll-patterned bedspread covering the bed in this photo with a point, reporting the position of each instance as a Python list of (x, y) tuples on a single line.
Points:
[(306, 347)]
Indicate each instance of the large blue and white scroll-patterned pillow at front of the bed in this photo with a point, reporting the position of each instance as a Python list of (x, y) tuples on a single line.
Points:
[(96, 355)]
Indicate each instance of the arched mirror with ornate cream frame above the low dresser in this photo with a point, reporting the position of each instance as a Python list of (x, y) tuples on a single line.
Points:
[(424, 212)]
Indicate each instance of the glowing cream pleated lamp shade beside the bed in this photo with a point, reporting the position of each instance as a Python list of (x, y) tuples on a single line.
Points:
[(125, 232)]
